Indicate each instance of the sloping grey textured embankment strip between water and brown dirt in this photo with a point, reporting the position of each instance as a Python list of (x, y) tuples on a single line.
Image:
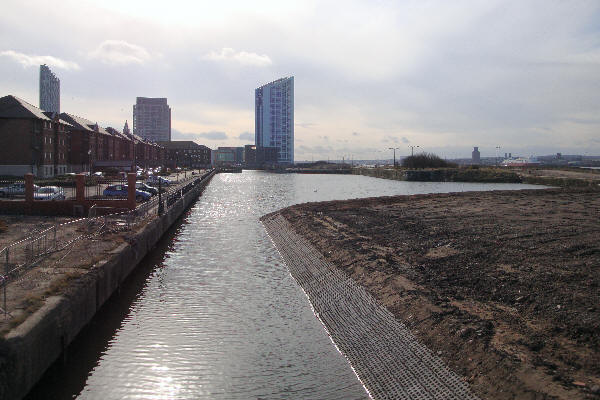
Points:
[(385, 355)]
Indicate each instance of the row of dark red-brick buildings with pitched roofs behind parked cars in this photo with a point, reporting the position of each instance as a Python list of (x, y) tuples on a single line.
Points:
[(48, 144)]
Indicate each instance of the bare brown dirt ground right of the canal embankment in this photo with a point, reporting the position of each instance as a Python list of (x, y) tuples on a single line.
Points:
[(504, 286)]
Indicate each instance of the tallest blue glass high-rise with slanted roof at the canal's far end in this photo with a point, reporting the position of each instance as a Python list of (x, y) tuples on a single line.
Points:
[(274, 118)]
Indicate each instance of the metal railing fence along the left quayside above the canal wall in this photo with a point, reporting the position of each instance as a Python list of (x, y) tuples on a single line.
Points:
[(27, 253)]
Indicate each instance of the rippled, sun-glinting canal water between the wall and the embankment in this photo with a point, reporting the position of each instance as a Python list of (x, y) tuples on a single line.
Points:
[(213, 312)]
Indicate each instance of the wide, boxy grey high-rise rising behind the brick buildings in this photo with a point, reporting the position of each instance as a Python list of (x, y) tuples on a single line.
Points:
[(152, 119)]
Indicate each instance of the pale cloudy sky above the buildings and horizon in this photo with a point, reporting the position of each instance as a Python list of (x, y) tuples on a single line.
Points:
[(523, 76)]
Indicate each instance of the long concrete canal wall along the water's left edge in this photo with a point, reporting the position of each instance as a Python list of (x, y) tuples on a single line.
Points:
[(28, 350)]
